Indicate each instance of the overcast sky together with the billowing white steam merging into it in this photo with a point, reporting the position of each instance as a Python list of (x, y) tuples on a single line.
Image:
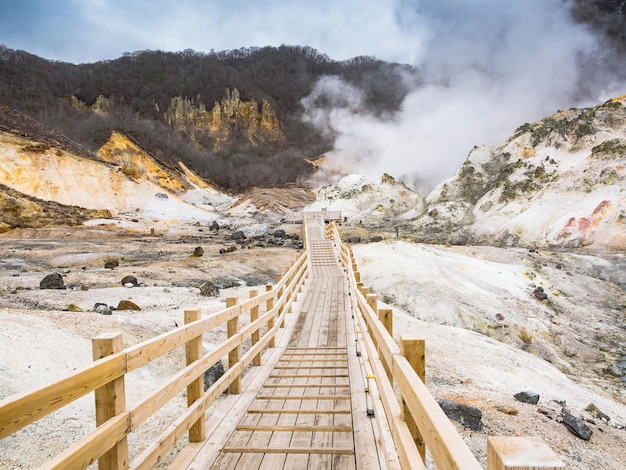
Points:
[(487, 66)]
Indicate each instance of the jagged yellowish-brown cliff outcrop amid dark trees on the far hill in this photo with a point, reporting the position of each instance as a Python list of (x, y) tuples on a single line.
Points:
[(227, 120)]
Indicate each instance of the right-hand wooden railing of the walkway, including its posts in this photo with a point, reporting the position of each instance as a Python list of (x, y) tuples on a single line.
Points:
[(416, 420)]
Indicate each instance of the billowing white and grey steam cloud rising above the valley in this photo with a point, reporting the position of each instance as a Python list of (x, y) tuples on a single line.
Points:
[(487, 67)]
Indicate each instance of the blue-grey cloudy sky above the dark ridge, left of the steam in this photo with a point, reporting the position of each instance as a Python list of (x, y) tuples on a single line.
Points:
[(81, 31)]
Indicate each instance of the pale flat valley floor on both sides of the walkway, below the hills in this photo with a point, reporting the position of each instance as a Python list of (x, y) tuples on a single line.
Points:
[(452, 296)]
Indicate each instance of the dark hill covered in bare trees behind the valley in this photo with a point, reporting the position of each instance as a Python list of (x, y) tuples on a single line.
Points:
[(235, 117)]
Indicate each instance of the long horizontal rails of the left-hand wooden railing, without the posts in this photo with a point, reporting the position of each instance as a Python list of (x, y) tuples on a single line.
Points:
[(22, 409)]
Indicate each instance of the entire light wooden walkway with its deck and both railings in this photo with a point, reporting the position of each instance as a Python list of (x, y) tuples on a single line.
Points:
[(314, 380)]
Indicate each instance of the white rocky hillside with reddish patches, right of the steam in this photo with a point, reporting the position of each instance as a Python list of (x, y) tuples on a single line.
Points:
[(558, 182)]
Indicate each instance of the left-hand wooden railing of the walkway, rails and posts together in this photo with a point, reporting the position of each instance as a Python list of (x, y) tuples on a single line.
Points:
[(106, 377)]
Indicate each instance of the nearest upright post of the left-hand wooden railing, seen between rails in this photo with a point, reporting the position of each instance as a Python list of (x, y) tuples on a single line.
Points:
[(110, 401)]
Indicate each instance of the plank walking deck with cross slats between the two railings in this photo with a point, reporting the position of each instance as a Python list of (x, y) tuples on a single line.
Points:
[(306, 408)]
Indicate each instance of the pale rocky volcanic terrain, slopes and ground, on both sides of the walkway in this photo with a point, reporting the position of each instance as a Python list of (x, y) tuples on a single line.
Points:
[(513, 270)]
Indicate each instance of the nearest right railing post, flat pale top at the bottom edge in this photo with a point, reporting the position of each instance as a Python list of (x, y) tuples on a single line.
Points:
[(520, 453)]
